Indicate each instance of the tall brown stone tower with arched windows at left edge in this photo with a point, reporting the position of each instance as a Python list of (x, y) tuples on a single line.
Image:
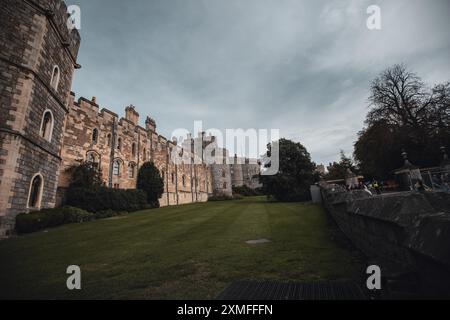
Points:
[(37, 60)]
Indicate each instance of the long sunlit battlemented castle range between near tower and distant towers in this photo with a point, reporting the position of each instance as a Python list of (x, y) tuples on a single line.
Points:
[(124, 141)]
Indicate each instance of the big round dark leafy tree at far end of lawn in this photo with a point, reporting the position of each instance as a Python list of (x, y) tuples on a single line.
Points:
[(295, 174)]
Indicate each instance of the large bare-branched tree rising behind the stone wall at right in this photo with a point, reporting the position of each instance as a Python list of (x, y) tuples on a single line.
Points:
[(404, 114)]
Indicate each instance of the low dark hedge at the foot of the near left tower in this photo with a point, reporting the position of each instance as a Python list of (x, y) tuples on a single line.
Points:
[(48, 218)]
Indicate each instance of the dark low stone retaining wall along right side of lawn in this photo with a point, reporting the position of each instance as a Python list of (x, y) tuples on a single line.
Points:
[(403, 233)]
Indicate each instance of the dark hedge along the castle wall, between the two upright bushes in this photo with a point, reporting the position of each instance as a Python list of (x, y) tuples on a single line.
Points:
[(104, 199)]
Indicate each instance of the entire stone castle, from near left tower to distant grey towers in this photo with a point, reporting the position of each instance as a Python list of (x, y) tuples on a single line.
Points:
[(44, 130)]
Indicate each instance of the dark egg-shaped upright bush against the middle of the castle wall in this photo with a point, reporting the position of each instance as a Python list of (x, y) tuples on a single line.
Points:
[(149, 179)]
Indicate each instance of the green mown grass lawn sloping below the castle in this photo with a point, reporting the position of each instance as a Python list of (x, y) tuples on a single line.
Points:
[(185, 252)]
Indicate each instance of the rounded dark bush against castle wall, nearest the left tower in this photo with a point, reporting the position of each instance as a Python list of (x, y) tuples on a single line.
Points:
[(85, 175)]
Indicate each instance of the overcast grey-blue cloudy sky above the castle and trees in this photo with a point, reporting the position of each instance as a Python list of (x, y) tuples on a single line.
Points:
[(301, 66)]
